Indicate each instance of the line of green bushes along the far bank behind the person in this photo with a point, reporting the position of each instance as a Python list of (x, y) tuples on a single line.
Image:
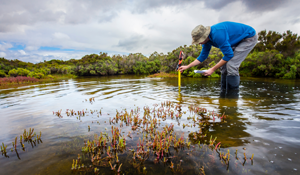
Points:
[(276, 55)]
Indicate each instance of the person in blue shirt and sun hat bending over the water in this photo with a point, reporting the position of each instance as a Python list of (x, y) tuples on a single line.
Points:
[(235, 40)]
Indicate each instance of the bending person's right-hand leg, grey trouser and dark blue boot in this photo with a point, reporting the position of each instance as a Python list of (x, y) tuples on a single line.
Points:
[(240, 53)]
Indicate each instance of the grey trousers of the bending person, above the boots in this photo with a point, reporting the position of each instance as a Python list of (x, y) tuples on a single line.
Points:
[(240, 52)]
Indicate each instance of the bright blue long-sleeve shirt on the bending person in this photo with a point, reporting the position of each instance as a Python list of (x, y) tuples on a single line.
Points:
[(225, 35)]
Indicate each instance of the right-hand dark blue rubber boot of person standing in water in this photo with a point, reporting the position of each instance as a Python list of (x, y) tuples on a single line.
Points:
[(232, 86)]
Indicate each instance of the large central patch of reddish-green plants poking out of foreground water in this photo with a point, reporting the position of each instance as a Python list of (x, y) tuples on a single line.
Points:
[(147, 140)]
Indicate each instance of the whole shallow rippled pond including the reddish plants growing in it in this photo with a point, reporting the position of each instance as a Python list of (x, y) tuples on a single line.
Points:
[(147, 114)]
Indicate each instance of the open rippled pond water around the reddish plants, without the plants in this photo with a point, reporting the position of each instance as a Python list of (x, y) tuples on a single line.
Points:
[(264, 120)]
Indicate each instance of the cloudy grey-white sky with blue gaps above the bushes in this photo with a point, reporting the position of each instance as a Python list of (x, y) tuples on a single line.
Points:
[(37, 30)]
